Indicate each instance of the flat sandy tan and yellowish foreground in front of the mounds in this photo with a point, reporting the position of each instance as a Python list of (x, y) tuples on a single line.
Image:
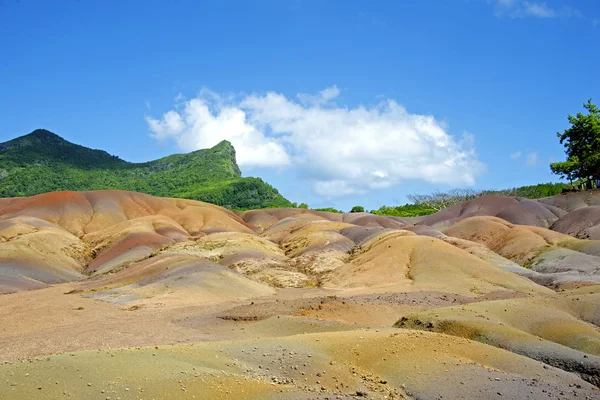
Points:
[(58, 345)]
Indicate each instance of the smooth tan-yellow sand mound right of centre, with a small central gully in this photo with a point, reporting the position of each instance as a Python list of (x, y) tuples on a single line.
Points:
[(408, 262)]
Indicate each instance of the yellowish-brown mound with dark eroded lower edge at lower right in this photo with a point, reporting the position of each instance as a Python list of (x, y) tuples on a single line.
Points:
[(520, 325)]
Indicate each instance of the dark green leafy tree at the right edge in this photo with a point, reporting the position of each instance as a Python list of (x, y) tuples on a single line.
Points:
[(582, 147)]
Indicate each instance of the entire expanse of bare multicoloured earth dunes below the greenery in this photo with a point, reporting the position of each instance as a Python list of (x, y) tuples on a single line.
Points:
[(114, 294)]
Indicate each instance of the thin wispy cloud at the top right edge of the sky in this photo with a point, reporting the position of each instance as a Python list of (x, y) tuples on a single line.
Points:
[(536, 9)]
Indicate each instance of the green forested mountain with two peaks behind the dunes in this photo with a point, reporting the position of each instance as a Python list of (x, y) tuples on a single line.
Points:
[(43, 161)]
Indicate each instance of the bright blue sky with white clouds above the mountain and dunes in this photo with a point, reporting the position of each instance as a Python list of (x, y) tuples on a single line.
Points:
[(335, 103)]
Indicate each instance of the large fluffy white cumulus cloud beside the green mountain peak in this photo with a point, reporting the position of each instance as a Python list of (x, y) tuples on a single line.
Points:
[(341, 150)]
